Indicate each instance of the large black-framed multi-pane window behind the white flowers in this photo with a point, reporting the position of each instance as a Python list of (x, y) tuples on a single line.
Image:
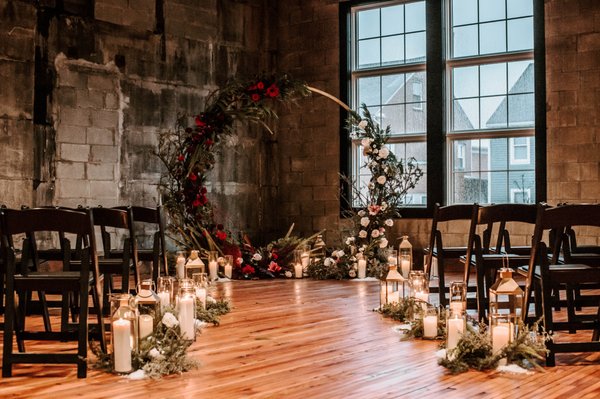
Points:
[(479, 82)]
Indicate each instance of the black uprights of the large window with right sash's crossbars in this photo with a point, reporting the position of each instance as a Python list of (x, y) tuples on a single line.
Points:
[(439, 160)]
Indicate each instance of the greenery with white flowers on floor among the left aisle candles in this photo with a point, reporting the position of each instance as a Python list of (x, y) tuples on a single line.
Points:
[(164, 352)]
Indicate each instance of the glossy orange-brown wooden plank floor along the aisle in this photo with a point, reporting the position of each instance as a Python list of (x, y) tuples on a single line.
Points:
[(309, 339)]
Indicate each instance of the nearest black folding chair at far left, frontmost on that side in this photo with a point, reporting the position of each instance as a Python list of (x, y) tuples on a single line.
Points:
[(22, 281)]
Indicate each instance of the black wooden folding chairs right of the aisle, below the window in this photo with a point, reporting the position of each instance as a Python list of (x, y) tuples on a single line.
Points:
[(552, 264)]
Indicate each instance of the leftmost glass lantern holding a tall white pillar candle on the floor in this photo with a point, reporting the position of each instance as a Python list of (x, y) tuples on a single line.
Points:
[(124, 332)]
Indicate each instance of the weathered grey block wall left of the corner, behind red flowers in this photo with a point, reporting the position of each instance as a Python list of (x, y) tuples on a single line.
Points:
[(110, 74)]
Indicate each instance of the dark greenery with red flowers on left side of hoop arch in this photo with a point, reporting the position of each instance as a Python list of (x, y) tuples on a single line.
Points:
[(189, 154)]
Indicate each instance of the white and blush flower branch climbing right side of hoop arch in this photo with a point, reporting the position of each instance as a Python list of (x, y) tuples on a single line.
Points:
[(390, 181)]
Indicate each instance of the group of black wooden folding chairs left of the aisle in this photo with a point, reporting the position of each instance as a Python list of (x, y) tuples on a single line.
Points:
[(54, 235)]
